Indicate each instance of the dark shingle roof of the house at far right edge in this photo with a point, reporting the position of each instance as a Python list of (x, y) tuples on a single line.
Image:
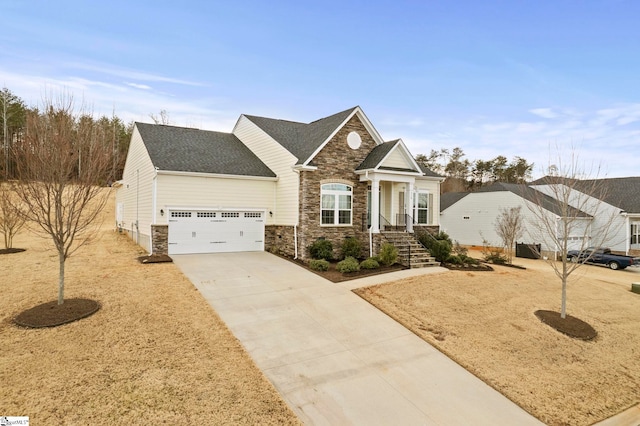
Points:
[(623, 193)]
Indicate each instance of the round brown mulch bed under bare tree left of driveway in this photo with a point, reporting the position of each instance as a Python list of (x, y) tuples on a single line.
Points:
[(51, 314)]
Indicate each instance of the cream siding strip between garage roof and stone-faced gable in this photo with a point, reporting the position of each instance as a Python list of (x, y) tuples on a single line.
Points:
[(281, 161)]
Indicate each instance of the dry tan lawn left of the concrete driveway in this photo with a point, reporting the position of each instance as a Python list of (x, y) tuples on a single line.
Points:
[(155, 352)]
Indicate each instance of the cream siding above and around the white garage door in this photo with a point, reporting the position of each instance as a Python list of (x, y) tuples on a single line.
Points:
[(213, 193)]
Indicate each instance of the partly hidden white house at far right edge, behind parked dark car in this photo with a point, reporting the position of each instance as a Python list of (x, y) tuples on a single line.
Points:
[(616, 209)]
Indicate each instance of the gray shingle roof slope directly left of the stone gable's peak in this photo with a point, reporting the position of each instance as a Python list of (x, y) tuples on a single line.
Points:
[(301, 139)]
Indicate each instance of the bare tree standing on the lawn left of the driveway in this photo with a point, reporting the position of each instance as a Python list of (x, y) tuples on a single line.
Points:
[(60, 162)]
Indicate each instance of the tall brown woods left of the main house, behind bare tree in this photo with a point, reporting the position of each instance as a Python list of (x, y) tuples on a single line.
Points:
[(112, 132)]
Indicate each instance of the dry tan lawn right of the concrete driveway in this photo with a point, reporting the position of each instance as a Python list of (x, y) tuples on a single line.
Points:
[(485, 321)]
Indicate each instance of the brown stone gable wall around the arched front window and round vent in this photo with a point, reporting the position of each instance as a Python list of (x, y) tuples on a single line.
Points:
[(336, 163)]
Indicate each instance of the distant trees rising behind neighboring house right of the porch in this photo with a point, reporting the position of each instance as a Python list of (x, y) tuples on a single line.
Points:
[(465, 175)]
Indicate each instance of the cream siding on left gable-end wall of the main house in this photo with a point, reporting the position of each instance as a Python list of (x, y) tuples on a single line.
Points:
[(135, 194)]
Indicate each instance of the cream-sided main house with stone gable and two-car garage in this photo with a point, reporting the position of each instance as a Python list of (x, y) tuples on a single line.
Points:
[(270, 185)]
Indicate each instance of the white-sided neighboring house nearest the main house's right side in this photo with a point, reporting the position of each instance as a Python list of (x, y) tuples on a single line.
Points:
[(470, 217)]
